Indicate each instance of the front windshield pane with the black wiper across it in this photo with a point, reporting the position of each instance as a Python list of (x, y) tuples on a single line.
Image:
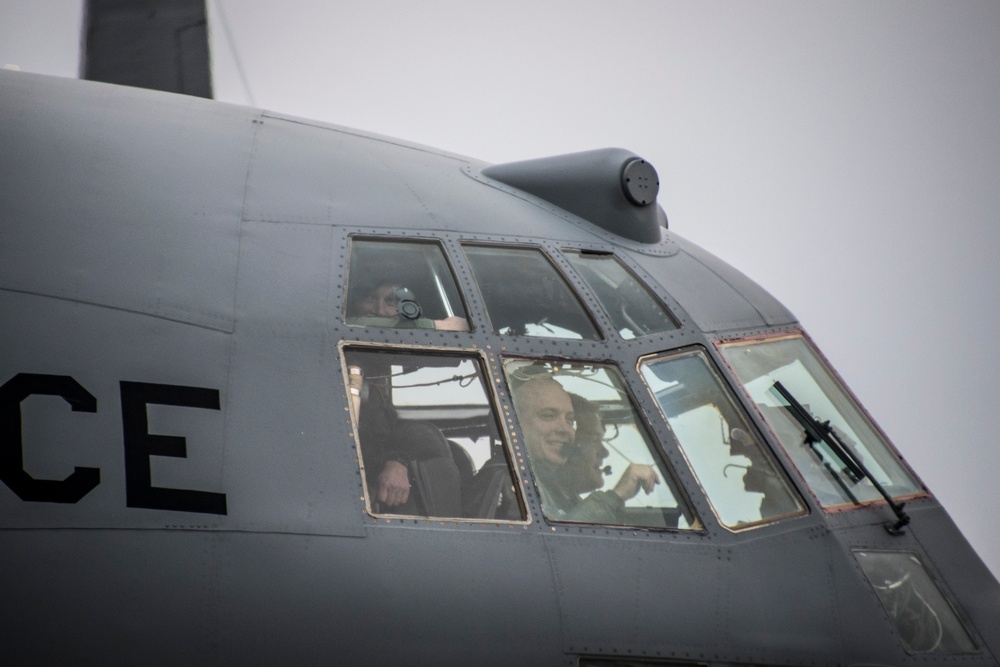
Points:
[(769, 366)]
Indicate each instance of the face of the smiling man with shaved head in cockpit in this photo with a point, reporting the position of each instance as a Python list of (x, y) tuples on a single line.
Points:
[(546, 415)]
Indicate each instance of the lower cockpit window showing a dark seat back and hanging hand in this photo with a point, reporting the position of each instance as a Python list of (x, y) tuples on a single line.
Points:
[(429, 438)]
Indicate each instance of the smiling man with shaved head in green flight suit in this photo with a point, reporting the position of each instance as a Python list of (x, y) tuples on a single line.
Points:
[(566, 449)]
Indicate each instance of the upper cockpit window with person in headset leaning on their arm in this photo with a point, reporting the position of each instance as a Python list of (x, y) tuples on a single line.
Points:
[(402, 284)]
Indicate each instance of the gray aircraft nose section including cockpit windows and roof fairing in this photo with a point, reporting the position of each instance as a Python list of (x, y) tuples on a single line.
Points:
[(185, 479)]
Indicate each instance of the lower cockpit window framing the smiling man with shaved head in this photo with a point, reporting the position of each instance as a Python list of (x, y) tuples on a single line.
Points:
[(590, 454)]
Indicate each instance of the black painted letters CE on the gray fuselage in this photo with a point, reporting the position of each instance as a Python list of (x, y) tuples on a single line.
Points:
[(139, 444)]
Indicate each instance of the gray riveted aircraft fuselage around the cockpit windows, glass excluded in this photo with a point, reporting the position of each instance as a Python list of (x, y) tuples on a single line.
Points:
[(180, 476)]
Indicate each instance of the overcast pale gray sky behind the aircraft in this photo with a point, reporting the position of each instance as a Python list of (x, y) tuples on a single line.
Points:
[(844, 155)]
